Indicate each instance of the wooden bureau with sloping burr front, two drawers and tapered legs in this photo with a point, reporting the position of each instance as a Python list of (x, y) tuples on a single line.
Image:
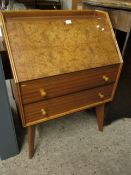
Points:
[(62, 62)]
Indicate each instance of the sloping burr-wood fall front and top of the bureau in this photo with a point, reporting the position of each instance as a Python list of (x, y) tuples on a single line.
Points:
[(48, 43)]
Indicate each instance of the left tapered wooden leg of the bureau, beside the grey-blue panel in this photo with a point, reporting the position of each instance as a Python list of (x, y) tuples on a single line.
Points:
[(31, 138)]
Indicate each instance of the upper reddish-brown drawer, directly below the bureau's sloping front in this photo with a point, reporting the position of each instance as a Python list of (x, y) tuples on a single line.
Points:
[(50, 87)]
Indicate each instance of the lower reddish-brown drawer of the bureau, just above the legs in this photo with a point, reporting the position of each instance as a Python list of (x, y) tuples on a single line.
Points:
[(66, 104)]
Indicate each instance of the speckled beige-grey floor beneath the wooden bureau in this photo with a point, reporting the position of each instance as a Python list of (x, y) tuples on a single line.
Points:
[(73, 146)]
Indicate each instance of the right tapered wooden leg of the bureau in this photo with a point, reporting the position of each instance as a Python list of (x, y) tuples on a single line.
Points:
[(100, 116)]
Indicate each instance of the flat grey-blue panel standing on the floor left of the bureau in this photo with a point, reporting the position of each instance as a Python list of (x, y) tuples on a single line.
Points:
[(8, 142)]
